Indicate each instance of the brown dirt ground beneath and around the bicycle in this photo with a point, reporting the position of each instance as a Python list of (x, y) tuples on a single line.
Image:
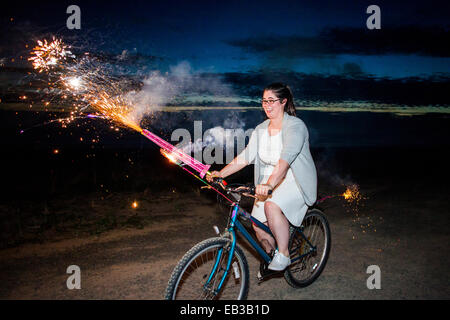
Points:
[(409, 244)]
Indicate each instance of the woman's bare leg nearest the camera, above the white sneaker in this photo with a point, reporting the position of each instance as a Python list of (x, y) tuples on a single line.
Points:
[(279, 225)]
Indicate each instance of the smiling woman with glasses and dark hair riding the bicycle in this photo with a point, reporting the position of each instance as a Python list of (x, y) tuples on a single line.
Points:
[(279, 148)]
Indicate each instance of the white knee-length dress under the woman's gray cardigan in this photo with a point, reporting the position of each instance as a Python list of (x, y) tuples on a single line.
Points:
[(287, 194)]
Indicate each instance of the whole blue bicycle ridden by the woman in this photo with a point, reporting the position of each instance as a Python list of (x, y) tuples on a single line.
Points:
[(217, 268)]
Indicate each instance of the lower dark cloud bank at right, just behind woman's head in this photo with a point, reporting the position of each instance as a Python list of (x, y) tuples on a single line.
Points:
[(351, 85)]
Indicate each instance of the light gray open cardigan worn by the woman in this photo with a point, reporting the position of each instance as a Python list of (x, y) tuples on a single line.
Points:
[(295, 152)]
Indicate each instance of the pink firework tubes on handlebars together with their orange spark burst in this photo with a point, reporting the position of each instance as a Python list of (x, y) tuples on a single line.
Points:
[(89, 84)]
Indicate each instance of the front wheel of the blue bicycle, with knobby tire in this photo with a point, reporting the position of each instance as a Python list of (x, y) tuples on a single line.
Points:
[(200, 272)]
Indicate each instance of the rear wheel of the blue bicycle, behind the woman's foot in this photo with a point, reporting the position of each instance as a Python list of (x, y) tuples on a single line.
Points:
[(309, 257)]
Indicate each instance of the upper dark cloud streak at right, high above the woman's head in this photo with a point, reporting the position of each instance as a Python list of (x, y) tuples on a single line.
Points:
[(425, 41)]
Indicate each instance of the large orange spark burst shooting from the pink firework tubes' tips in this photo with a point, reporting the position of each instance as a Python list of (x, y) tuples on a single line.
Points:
[(85, 82)]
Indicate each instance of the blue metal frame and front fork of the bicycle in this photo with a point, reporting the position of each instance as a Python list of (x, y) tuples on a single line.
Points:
[(235, 223)]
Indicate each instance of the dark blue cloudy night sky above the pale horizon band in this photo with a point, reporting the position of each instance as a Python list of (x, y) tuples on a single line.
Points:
[(323, 49)]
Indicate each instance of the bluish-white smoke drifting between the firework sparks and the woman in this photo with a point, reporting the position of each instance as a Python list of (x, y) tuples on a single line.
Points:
[(183, 85)]
